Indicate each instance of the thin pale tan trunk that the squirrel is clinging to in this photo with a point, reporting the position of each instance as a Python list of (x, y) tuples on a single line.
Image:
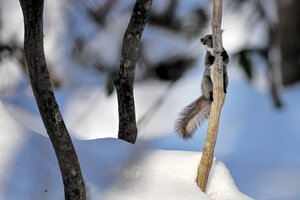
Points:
[(219, 98)]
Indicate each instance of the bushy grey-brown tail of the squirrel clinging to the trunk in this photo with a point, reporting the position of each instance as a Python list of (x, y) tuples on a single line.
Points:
[(192, 117)]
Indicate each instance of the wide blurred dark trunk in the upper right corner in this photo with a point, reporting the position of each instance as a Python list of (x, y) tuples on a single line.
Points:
[(289, 31)]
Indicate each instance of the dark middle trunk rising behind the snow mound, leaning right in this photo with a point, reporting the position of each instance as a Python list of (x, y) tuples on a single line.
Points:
[(125, 78)]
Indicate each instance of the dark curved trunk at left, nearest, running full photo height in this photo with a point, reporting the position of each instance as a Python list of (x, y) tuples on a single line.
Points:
[(49, 110)]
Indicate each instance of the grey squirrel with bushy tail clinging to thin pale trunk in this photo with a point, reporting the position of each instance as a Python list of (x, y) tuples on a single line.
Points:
[(195, 113)]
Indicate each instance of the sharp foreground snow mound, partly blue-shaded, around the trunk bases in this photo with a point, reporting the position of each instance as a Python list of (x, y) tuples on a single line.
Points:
[(113, 169)]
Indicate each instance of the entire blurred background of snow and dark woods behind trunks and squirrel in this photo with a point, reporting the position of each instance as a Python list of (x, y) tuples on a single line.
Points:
[(259, 132)]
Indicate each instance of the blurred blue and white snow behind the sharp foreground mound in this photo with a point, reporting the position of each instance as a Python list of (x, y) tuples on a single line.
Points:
[(252, 139)]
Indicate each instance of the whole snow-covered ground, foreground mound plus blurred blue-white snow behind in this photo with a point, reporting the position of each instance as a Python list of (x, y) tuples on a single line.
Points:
[(258, 144)]
